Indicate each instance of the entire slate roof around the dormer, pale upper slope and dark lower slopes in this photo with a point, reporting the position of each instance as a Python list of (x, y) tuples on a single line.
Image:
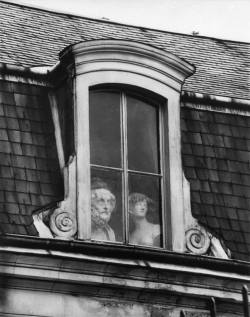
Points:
[(215, 146)]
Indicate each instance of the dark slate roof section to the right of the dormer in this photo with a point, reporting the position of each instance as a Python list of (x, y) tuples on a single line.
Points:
[(216, 160)]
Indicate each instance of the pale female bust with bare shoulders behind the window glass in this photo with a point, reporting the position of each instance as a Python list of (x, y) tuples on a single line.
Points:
[(144, 232)]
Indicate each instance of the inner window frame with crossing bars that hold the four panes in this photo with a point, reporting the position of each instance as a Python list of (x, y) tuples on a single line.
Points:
[(158, 102)]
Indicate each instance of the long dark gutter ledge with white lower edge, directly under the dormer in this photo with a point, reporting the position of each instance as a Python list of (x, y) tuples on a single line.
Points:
[(126, 253)]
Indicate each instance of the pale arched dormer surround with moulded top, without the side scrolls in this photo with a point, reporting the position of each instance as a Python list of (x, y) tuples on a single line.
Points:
[(110, 62)]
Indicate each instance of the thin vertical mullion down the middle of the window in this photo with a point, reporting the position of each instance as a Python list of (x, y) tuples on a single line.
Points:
[(125, 164)]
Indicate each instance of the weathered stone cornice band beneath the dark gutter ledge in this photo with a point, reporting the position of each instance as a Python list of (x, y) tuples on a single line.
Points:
[(56, 267)]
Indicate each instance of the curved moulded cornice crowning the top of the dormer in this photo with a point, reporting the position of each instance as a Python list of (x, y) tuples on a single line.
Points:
[(130, 53)]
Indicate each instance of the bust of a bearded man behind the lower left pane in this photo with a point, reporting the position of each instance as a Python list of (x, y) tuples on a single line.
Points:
[(102, 205)]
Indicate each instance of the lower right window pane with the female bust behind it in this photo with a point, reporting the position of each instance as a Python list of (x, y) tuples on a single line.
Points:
[(145, 225)]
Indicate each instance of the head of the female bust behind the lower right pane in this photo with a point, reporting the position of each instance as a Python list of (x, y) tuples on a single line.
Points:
[(139, 204)]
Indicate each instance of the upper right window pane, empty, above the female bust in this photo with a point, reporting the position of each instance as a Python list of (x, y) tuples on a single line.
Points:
[(142, 136)]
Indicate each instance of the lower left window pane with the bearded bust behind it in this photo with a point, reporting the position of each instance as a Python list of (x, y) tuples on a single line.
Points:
[(106, 205)]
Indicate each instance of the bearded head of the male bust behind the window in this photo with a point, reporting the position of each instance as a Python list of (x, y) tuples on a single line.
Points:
[(102, 202)]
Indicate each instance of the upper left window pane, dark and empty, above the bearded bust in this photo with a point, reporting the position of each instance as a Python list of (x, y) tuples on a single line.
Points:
[(105, 136)]
